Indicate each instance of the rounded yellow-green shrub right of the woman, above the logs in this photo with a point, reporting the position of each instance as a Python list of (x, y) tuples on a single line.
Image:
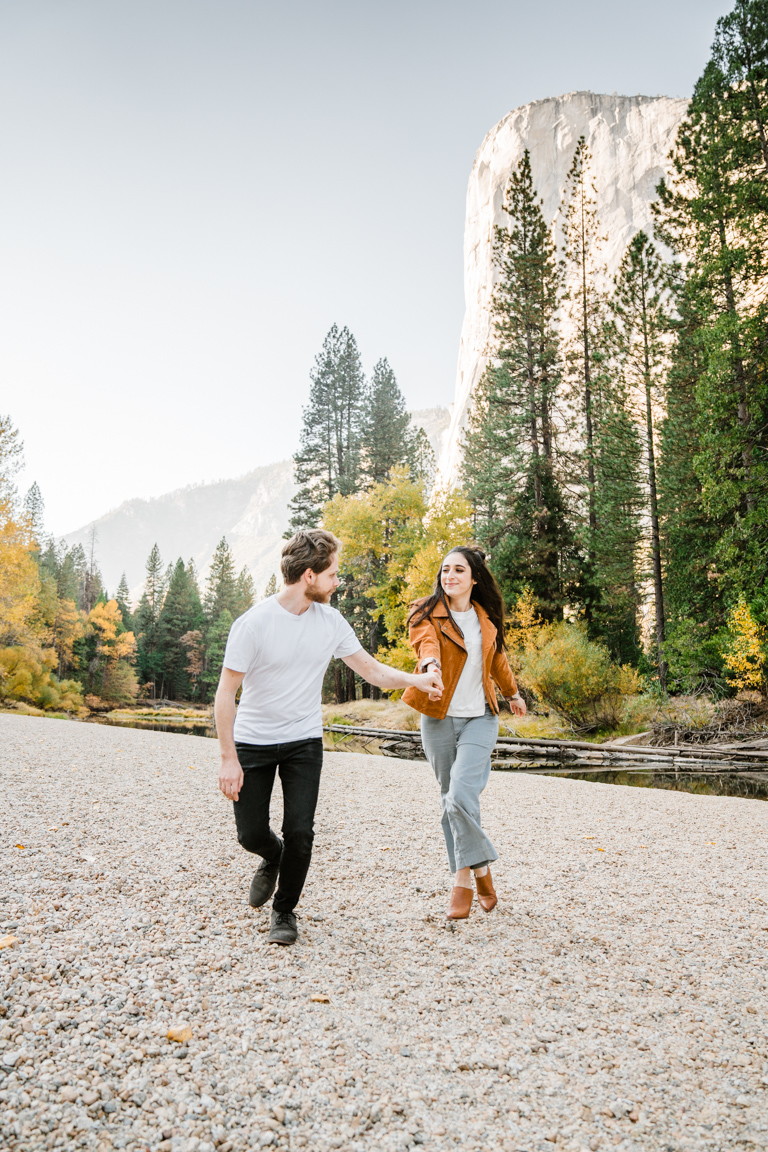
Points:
[(576, 678)]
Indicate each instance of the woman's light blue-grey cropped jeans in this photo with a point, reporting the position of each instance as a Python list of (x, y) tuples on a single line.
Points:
[(459, 749)]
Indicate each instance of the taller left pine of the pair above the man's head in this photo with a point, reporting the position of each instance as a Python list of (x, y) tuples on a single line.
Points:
[(330, 457)]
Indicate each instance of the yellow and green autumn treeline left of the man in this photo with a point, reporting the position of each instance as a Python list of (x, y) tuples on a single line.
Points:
[(66, 642)]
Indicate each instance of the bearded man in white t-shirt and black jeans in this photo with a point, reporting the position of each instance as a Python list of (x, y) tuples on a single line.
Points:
[(279, 651)]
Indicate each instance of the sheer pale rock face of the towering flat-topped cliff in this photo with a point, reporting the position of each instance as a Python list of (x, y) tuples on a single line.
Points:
[(630, 139)]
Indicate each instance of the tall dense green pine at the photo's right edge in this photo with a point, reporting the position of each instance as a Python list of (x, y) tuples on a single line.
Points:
[(711, 215)]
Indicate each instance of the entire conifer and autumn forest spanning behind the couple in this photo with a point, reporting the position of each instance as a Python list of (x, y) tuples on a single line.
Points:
[(615, 461)]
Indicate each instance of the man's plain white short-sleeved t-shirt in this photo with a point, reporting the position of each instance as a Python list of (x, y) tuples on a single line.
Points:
[(285, 658)]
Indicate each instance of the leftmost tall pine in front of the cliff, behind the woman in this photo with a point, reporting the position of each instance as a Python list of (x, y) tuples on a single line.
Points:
[(511, 459)]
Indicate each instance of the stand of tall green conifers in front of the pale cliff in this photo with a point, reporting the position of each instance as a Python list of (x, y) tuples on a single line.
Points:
[(617, 451)]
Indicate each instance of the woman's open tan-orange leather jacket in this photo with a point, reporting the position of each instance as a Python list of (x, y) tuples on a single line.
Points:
[(438, 639)]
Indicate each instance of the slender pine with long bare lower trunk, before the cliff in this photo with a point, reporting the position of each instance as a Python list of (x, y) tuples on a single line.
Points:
[(641, 338)]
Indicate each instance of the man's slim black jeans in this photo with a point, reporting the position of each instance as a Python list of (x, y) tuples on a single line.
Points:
[(300, 763)]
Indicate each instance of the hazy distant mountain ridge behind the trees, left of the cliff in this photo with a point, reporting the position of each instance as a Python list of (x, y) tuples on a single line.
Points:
[(250, 511)]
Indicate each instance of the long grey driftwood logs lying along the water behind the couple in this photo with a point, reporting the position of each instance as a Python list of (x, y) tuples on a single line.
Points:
[(512, 751)]
